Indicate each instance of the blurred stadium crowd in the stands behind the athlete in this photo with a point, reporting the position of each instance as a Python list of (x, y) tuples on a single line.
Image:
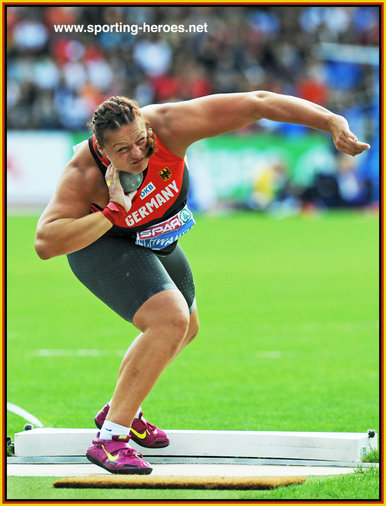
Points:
[(55, 80)]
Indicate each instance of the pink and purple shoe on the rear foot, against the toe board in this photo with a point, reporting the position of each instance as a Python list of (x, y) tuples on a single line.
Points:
[(142, 432)]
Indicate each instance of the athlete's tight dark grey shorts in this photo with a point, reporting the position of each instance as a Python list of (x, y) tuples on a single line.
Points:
[(124, 275)]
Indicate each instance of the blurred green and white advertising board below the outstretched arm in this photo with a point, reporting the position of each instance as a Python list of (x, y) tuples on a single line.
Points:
[(230, 167)]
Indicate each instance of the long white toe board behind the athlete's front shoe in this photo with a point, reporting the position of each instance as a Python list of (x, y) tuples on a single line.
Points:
[(329, 446)]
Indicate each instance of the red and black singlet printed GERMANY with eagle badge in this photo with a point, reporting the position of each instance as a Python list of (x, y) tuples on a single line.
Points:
[(162, 194)]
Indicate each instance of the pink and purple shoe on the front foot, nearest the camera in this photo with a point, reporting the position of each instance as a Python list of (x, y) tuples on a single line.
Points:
[(116, 456)]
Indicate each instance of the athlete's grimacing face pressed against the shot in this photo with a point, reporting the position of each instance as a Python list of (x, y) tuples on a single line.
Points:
[(127, 147)]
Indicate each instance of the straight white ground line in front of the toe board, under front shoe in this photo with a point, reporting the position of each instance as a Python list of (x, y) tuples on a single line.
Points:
[(178, 470)]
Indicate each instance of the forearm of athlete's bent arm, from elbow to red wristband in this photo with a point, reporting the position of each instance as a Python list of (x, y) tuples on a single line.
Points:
[(65, 235)]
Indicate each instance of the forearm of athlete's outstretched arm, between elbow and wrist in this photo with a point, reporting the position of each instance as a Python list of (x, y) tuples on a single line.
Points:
[(288, 109)]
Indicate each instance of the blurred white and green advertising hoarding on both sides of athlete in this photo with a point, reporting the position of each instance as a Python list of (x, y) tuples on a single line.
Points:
[(222, 168)]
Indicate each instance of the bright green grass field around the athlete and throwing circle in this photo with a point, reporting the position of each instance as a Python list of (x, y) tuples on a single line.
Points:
[(289, 340)]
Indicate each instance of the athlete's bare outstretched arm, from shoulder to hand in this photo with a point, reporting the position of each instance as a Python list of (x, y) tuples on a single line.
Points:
[(186, 122)]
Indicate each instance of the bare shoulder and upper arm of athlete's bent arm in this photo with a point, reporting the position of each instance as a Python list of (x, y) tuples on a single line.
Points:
[(80, 184)]
